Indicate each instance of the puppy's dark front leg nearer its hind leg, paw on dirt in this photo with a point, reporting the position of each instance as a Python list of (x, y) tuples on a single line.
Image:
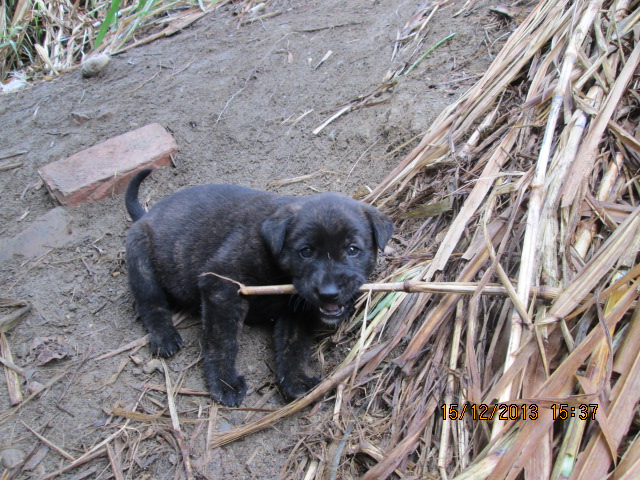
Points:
[(223, 313)]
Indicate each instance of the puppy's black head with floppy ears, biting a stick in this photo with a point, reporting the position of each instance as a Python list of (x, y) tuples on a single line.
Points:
[(328, 244)]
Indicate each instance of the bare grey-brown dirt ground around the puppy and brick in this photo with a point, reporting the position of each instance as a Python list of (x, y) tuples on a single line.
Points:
[(242, 103)]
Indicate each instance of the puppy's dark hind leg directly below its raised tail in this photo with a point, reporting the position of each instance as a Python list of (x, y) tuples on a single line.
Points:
[(151, 300)]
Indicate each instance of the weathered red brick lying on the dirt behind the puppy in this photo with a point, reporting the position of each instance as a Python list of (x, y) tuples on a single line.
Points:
[(105, 169)]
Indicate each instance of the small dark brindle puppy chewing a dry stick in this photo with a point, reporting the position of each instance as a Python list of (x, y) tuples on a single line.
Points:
[(324, 244)]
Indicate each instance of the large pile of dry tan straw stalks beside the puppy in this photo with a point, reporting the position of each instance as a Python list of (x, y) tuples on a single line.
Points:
[(536, 169)]
